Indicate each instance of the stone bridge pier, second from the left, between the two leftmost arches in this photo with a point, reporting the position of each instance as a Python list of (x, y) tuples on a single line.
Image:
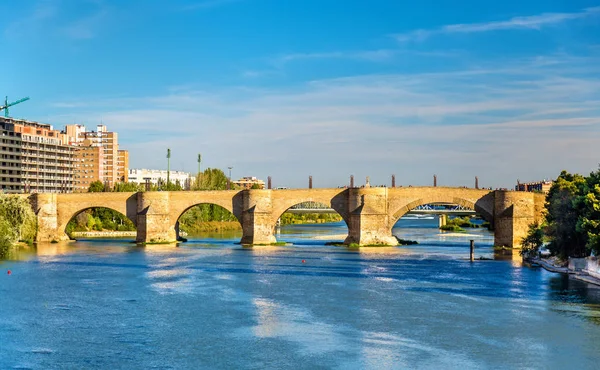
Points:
[(154, 224)]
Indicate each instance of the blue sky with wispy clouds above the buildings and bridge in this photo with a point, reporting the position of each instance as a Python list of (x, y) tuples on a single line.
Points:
[(502, 90)]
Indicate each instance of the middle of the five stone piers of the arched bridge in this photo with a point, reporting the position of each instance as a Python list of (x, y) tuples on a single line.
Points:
[(257, 217)]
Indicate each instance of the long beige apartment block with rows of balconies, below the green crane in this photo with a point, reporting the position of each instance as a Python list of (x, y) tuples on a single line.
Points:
[(35, 158)]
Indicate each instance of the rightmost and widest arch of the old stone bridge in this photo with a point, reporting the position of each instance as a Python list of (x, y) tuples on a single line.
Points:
[(483, 204)]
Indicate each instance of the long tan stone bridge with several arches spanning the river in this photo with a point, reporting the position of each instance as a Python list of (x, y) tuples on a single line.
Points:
[(370, 213)]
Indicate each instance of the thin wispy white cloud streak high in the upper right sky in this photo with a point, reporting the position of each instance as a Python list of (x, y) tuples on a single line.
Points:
[(534, 22)]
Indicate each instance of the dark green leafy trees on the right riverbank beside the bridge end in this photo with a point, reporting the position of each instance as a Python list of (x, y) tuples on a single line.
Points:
[(571, 224)]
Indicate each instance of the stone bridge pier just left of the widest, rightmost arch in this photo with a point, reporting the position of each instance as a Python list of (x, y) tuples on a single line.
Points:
[(369, 217)]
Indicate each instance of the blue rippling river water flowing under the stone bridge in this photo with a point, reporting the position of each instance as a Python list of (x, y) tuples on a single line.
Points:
[(210, 303)]
